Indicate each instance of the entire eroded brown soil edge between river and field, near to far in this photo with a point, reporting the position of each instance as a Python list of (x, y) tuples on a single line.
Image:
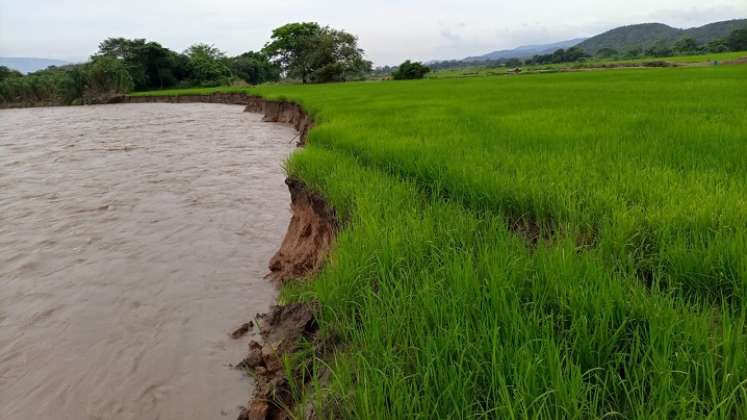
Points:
[(310, 235)]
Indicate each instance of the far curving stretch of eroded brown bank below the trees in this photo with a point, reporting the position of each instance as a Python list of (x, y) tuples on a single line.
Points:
[(273, 111)]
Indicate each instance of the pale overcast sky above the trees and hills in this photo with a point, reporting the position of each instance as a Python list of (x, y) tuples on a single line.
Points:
[(389, 30)]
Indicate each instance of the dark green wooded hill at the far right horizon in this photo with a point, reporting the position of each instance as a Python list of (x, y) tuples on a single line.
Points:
[(647, 35)]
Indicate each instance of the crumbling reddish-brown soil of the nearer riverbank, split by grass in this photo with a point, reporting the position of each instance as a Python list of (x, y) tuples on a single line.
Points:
[(310, 235)]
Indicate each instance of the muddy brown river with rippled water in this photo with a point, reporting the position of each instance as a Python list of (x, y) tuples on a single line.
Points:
[(133, 239)]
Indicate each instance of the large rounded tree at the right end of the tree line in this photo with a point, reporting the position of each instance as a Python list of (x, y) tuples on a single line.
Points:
[(316, 54)]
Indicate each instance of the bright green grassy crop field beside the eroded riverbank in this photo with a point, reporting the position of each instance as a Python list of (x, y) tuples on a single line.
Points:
[(568, 245)]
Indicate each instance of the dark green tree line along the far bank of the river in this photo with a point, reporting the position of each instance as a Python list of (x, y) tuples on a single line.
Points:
[(306, 52)]
